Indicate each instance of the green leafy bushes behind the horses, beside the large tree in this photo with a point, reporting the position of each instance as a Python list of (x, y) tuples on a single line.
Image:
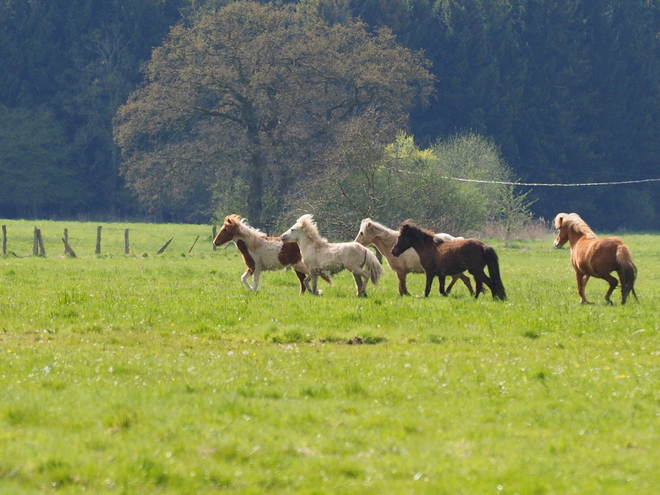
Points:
[(399, 181)]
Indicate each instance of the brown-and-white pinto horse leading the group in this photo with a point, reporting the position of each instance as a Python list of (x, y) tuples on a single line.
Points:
[(261, 252)]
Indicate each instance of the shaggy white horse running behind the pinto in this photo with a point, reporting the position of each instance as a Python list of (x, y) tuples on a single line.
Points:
[(325, 258)]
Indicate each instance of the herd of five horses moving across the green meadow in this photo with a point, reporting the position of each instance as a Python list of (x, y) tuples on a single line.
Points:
[(413, 249)]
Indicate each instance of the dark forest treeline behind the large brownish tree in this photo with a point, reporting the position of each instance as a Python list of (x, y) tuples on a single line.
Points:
[(567, 89)]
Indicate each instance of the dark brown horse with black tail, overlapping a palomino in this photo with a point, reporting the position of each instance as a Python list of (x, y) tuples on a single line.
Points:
[(441, 258)]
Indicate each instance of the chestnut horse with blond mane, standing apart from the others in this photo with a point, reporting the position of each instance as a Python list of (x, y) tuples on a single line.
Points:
[(592, 256)]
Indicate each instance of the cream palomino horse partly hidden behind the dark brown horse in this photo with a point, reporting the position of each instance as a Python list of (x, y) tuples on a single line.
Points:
[(408, 262)]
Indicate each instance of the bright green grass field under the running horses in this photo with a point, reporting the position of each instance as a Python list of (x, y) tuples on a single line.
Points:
[(161, 374)]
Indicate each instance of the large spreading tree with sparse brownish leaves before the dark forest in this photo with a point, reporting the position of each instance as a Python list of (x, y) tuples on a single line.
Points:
[(252, 96)]
